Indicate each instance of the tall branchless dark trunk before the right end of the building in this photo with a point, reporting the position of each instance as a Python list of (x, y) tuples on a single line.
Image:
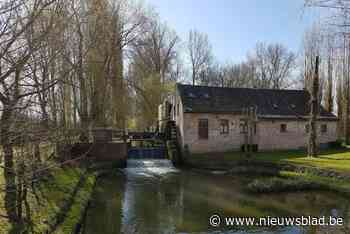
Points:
[(312, 146)]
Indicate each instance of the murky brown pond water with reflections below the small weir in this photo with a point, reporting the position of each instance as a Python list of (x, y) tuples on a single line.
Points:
[(156, 198)]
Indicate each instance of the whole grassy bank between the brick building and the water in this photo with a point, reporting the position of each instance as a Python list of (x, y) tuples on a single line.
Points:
[(329, 171)]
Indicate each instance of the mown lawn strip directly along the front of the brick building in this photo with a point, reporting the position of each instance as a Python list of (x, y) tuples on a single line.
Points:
[(335, 159)]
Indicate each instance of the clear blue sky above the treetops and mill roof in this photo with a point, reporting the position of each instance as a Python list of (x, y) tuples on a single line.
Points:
[(235, 26)]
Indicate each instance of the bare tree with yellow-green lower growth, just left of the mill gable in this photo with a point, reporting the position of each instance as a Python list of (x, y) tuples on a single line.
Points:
[(153, 56)]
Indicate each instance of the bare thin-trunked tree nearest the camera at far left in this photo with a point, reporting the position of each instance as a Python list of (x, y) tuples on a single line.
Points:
[(18, 21)]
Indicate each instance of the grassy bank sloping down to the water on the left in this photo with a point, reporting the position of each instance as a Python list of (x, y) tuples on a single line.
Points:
[(56, 202)]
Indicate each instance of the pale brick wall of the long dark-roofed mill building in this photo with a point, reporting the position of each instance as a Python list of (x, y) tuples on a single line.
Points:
[(268, 135)]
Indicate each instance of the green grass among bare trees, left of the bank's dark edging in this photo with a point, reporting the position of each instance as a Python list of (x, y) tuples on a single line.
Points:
[(46, 201)]
